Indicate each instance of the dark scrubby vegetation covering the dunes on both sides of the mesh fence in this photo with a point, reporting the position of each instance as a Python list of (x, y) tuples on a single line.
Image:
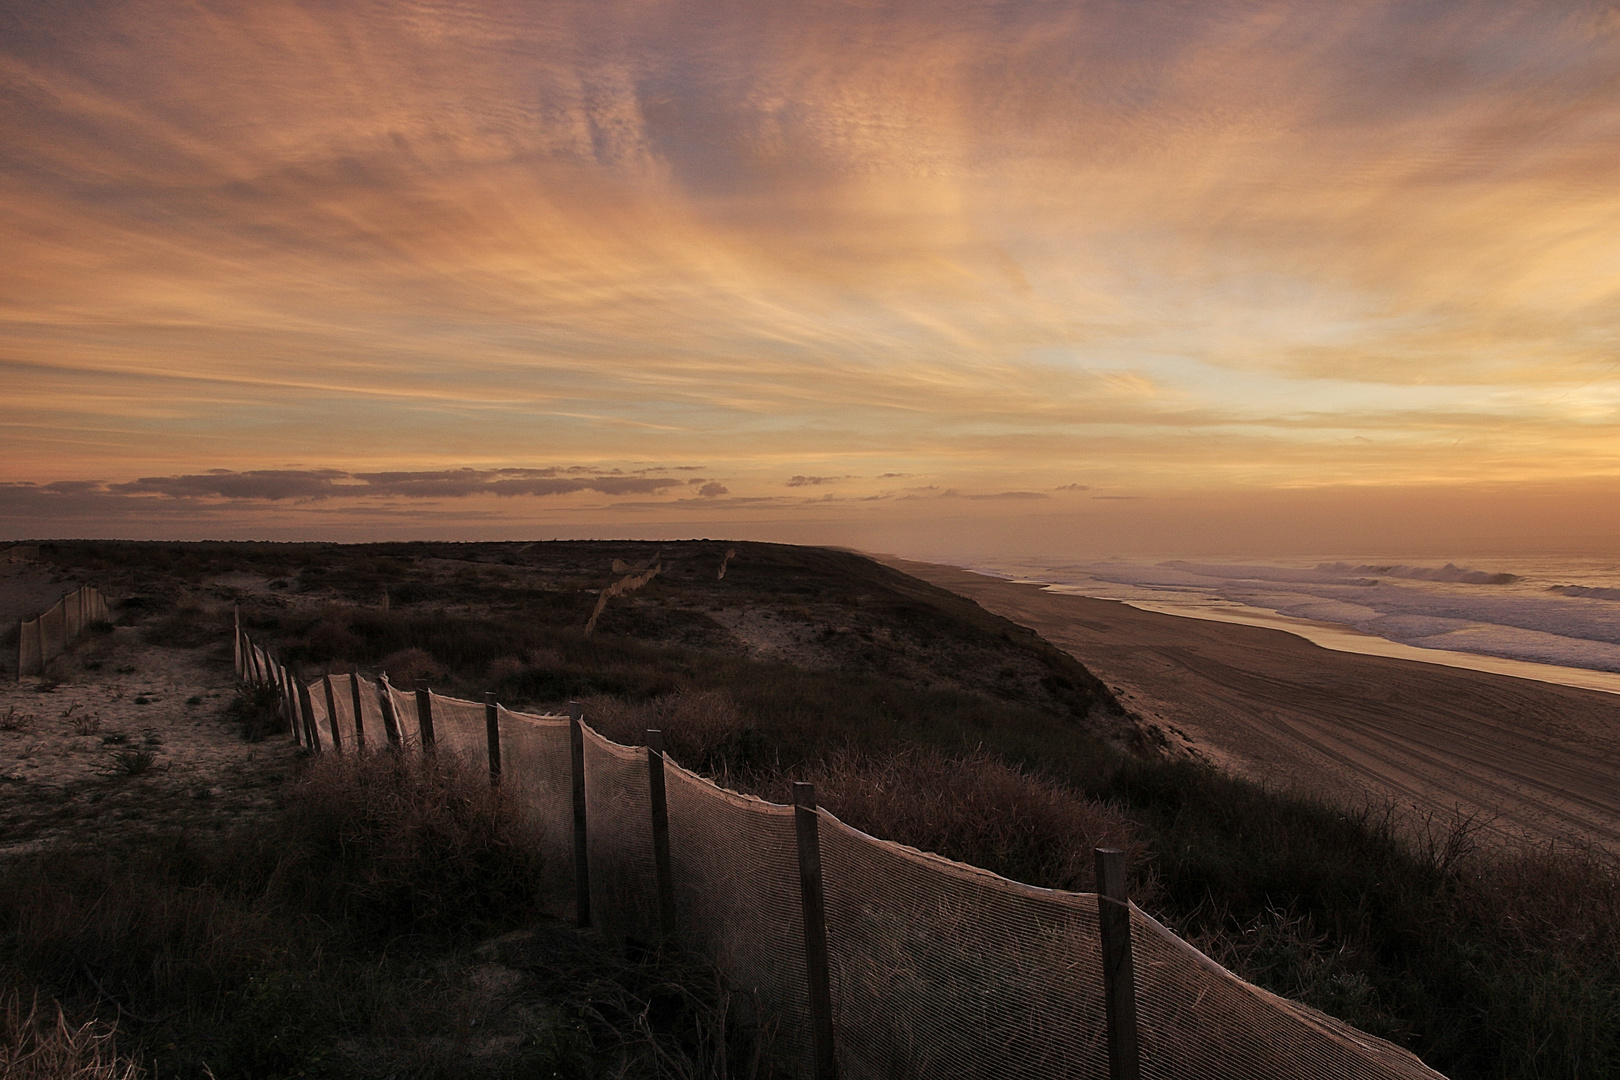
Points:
[(344, 935)]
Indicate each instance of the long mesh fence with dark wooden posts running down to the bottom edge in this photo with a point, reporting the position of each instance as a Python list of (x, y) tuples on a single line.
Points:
[(876, 959)]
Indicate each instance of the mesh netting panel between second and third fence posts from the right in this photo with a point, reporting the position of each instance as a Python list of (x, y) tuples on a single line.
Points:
[(735, 862)]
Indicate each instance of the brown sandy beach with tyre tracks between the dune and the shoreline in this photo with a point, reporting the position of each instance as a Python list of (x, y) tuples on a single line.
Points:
[(1541, 762)]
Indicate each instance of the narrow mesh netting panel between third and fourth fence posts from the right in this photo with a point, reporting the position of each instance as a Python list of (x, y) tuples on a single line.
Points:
[(620, 841)]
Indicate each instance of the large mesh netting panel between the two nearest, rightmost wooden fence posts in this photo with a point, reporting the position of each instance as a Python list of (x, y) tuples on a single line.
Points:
[(949, 971)]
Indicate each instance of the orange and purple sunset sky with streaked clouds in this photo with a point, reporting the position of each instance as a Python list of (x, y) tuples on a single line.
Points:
[(919, 278)]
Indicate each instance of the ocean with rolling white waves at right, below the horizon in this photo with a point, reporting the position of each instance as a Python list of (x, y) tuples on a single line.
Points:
[(1554, 619)]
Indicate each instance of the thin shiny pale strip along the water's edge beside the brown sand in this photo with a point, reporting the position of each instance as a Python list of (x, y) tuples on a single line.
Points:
[(1345, 640)]
